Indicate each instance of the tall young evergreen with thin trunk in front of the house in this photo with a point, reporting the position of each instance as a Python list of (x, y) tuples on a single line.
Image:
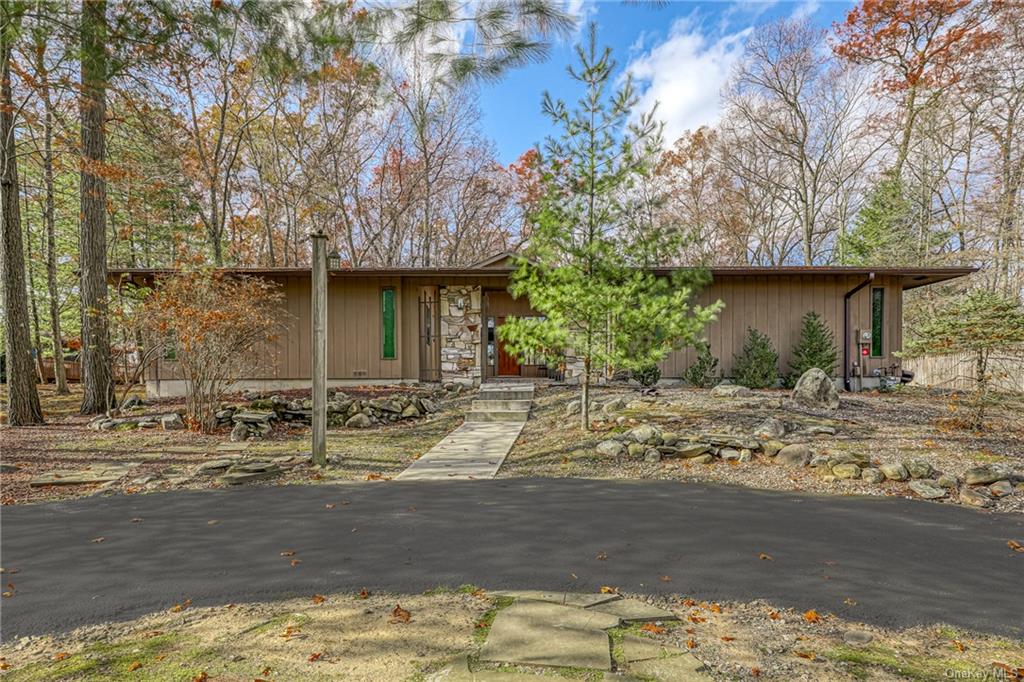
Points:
[(581, 274)]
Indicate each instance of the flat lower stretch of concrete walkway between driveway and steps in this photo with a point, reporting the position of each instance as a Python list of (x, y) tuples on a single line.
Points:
[(473, 451)]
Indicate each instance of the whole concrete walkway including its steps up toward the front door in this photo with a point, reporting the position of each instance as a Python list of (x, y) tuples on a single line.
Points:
[(478, 449)]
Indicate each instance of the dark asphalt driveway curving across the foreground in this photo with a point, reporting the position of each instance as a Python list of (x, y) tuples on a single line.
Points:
[(904, 563)]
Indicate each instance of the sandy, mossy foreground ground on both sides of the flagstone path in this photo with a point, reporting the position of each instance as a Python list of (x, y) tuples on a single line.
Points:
[(367, 637)]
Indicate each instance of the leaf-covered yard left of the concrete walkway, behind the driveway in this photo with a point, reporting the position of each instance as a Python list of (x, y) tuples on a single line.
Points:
[(157, 460)]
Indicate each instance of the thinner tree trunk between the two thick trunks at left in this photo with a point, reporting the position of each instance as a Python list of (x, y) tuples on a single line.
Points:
[(60, 375)]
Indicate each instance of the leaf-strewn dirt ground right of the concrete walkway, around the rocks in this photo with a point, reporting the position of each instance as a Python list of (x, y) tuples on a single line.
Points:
[(888, 428)]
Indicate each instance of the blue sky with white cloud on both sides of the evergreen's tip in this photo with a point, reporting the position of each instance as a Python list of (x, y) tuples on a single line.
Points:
[(680, 54)]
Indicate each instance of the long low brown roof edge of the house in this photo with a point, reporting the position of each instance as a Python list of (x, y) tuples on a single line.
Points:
[(500, 266)]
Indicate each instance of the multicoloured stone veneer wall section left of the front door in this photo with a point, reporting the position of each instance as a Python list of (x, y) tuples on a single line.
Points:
[(461, 333)]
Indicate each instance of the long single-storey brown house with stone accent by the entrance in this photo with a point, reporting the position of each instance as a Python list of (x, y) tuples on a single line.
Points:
[(393, 325)]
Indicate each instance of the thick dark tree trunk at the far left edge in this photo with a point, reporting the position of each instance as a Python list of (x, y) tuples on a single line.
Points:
[(23, 398)]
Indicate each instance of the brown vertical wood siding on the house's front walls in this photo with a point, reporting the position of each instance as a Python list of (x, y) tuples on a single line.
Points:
[(773, 304)]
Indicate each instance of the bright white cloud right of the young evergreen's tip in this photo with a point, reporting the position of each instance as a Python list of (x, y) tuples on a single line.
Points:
[(685, 74)]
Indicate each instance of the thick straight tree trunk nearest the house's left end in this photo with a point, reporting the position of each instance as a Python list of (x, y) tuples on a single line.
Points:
[(98, 383)]
